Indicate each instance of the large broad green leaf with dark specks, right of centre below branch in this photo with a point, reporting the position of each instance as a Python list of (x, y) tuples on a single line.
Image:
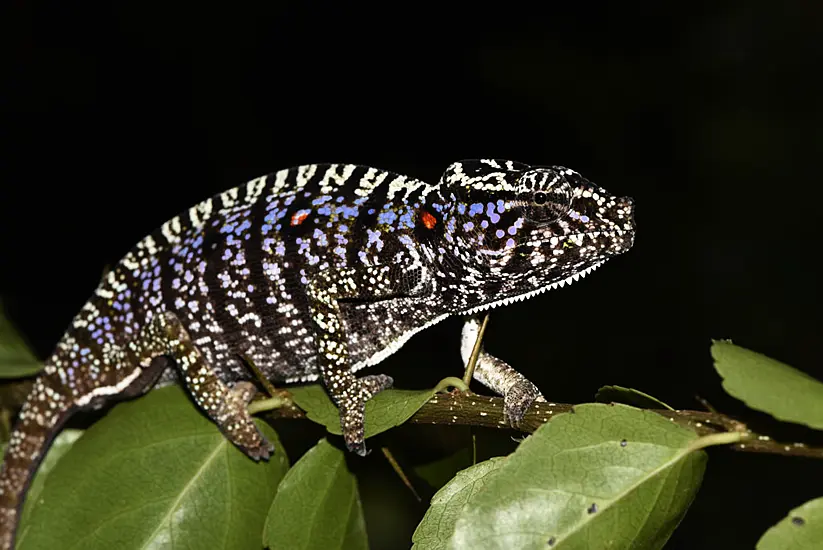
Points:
[(602, 476)]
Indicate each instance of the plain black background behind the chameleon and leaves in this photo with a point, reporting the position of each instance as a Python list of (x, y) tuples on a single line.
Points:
[(116, 117)]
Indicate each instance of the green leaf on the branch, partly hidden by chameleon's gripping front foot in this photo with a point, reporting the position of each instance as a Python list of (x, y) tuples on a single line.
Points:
[(384, 411)]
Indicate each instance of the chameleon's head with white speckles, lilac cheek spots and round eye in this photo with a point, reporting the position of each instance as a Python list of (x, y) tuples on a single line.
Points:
[(530, 228)]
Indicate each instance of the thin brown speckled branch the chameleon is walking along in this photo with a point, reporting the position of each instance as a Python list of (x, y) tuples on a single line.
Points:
[(469, 409)]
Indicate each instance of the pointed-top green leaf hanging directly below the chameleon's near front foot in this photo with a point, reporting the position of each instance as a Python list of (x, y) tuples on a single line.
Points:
[(317, 505)]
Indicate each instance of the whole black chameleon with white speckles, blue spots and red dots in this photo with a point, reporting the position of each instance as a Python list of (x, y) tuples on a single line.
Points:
[(316, 272)]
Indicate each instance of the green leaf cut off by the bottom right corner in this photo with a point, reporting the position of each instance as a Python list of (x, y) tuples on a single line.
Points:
[(802, 529)]
